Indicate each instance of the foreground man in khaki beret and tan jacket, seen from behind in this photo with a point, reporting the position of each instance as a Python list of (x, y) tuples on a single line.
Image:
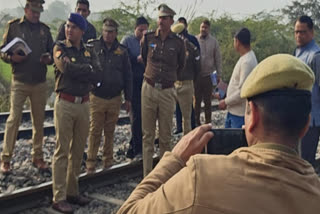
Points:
[(269, 172)]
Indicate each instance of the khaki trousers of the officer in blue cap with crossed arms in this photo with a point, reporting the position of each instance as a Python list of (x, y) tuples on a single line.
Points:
[(72, 126)]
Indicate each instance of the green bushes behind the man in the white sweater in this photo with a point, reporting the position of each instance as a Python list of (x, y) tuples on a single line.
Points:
[(269, 36)]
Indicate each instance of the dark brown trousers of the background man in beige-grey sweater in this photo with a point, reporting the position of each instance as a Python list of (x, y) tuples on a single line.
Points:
[(203, 91)]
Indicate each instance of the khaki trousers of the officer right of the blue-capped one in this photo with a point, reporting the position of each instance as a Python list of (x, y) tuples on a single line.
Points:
[(104, 116)]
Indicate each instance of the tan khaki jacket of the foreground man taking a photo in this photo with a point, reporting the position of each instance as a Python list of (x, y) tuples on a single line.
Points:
[(260, 179)]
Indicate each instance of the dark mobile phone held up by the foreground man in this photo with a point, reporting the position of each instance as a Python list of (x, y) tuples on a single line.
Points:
[(225, 141)]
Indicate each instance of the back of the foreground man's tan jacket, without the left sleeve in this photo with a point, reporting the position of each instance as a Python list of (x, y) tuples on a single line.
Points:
[(255, 180)]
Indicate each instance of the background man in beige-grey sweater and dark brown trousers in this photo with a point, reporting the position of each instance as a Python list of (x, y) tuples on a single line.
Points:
[(210, 61)]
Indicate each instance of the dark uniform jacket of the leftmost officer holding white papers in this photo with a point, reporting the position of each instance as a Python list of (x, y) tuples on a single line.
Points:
[(39, 39)]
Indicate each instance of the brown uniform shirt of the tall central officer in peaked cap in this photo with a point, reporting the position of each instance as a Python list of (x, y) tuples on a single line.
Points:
[(163, 59)]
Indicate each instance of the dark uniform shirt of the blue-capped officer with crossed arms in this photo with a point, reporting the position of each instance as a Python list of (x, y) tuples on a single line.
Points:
[(81, 74)]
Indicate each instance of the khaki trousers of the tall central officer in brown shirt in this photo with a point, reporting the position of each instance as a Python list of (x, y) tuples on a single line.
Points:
[(157, 104)]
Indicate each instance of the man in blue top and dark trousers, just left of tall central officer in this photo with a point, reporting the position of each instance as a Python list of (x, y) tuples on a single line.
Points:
[(132, 42)]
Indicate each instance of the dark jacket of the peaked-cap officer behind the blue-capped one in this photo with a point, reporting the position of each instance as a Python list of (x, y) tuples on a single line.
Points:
[(116, 75)]
